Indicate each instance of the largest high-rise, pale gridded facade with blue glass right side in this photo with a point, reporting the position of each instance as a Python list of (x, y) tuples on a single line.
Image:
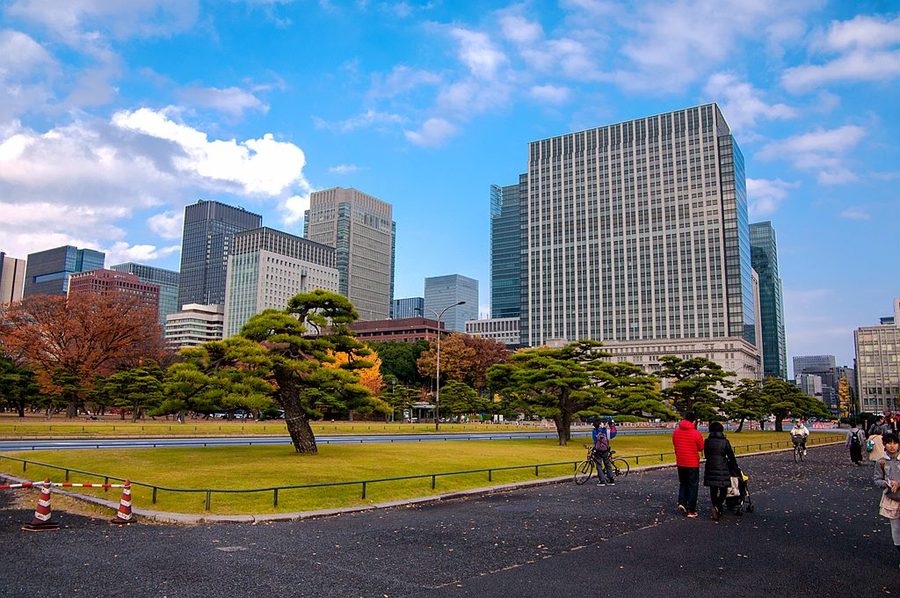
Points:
[(637, 234)]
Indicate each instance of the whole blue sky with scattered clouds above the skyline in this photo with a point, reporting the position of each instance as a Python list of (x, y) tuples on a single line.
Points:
[(115, 115)]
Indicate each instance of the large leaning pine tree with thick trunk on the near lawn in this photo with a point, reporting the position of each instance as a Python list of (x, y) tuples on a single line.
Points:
[(284, 355)]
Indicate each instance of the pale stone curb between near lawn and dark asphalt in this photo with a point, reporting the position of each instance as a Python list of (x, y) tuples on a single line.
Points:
[(192, 519)]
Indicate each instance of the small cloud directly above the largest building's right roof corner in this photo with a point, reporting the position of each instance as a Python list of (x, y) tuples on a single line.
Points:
[(742, 103)]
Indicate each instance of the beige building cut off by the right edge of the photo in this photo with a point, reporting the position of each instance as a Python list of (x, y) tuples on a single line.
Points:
[(878, 365)]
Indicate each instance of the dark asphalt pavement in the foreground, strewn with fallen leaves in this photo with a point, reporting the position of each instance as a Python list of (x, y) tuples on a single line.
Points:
[(815, 529)]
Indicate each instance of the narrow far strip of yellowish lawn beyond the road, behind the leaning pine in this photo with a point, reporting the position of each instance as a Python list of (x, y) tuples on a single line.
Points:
[(40, 427)]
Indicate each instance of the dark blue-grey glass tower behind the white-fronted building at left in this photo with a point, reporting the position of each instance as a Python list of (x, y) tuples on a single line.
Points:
[(205, 246)]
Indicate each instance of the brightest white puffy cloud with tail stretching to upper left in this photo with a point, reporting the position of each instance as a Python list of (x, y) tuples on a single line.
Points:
[(254, 166)]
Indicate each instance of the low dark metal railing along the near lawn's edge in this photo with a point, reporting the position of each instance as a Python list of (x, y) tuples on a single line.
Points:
[(648, 459)]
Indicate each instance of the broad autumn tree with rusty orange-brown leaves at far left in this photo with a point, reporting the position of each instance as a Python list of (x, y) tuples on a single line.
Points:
[(71, 341)]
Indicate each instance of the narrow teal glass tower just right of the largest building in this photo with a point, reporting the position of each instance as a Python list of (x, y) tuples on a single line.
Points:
[(764, 252)]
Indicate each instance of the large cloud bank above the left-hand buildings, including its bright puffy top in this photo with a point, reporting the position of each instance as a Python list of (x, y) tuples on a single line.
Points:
[(79, 183)]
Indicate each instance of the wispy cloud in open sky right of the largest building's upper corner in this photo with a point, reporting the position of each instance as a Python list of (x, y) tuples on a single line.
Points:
[(823, 151)]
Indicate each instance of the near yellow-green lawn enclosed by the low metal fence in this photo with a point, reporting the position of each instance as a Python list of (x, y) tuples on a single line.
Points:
[(267, 467)]
